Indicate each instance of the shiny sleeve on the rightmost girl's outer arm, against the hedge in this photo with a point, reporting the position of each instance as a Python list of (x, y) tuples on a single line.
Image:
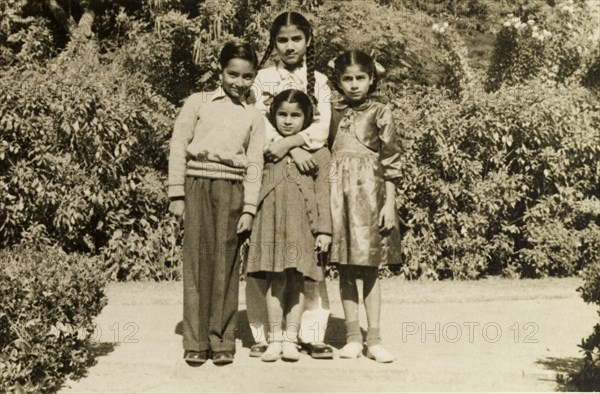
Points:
[(389, 154)]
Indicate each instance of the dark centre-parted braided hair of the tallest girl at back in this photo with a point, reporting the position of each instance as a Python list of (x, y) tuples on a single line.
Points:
[(295, 19)]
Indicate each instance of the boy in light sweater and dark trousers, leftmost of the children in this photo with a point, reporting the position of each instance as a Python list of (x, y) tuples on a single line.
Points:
[(215, 164)]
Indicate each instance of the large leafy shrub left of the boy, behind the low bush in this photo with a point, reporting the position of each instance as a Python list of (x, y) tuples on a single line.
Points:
[(82, 154)]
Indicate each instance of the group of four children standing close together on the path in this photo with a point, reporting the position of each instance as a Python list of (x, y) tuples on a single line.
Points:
[(301, 198)]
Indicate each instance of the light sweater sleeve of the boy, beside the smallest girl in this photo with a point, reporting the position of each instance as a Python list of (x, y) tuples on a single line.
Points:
[(254, 152)]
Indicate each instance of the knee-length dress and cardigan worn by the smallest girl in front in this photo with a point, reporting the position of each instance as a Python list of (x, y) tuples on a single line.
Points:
[(293, 209)]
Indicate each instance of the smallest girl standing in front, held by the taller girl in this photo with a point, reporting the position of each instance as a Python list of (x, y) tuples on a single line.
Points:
[(292, 225)]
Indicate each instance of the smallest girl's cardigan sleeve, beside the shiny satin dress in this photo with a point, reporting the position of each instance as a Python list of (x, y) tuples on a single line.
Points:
[(322, 184)]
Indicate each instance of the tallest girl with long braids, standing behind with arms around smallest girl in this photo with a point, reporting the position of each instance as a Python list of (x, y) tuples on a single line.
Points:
[(292, 39)]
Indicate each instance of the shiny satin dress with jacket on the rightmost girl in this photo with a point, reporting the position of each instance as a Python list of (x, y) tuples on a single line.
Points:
[(365, 154)]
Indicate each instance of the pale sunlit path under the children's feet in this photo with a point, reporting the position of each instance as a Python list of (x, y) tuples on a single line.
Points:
[(489, 335)]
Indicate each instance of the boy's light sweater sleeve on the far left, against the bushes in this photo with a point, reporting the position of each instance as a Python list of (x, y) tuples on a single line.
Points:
[(183, 132)]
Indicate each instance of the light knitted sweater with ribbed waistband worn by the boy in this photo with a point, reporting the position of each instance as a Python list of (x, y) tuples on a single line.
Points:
[(214, 137)]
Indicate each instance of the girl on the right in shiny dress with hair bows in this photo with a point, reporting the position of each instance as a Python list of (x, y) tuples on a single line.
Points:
[(363, 210)]
